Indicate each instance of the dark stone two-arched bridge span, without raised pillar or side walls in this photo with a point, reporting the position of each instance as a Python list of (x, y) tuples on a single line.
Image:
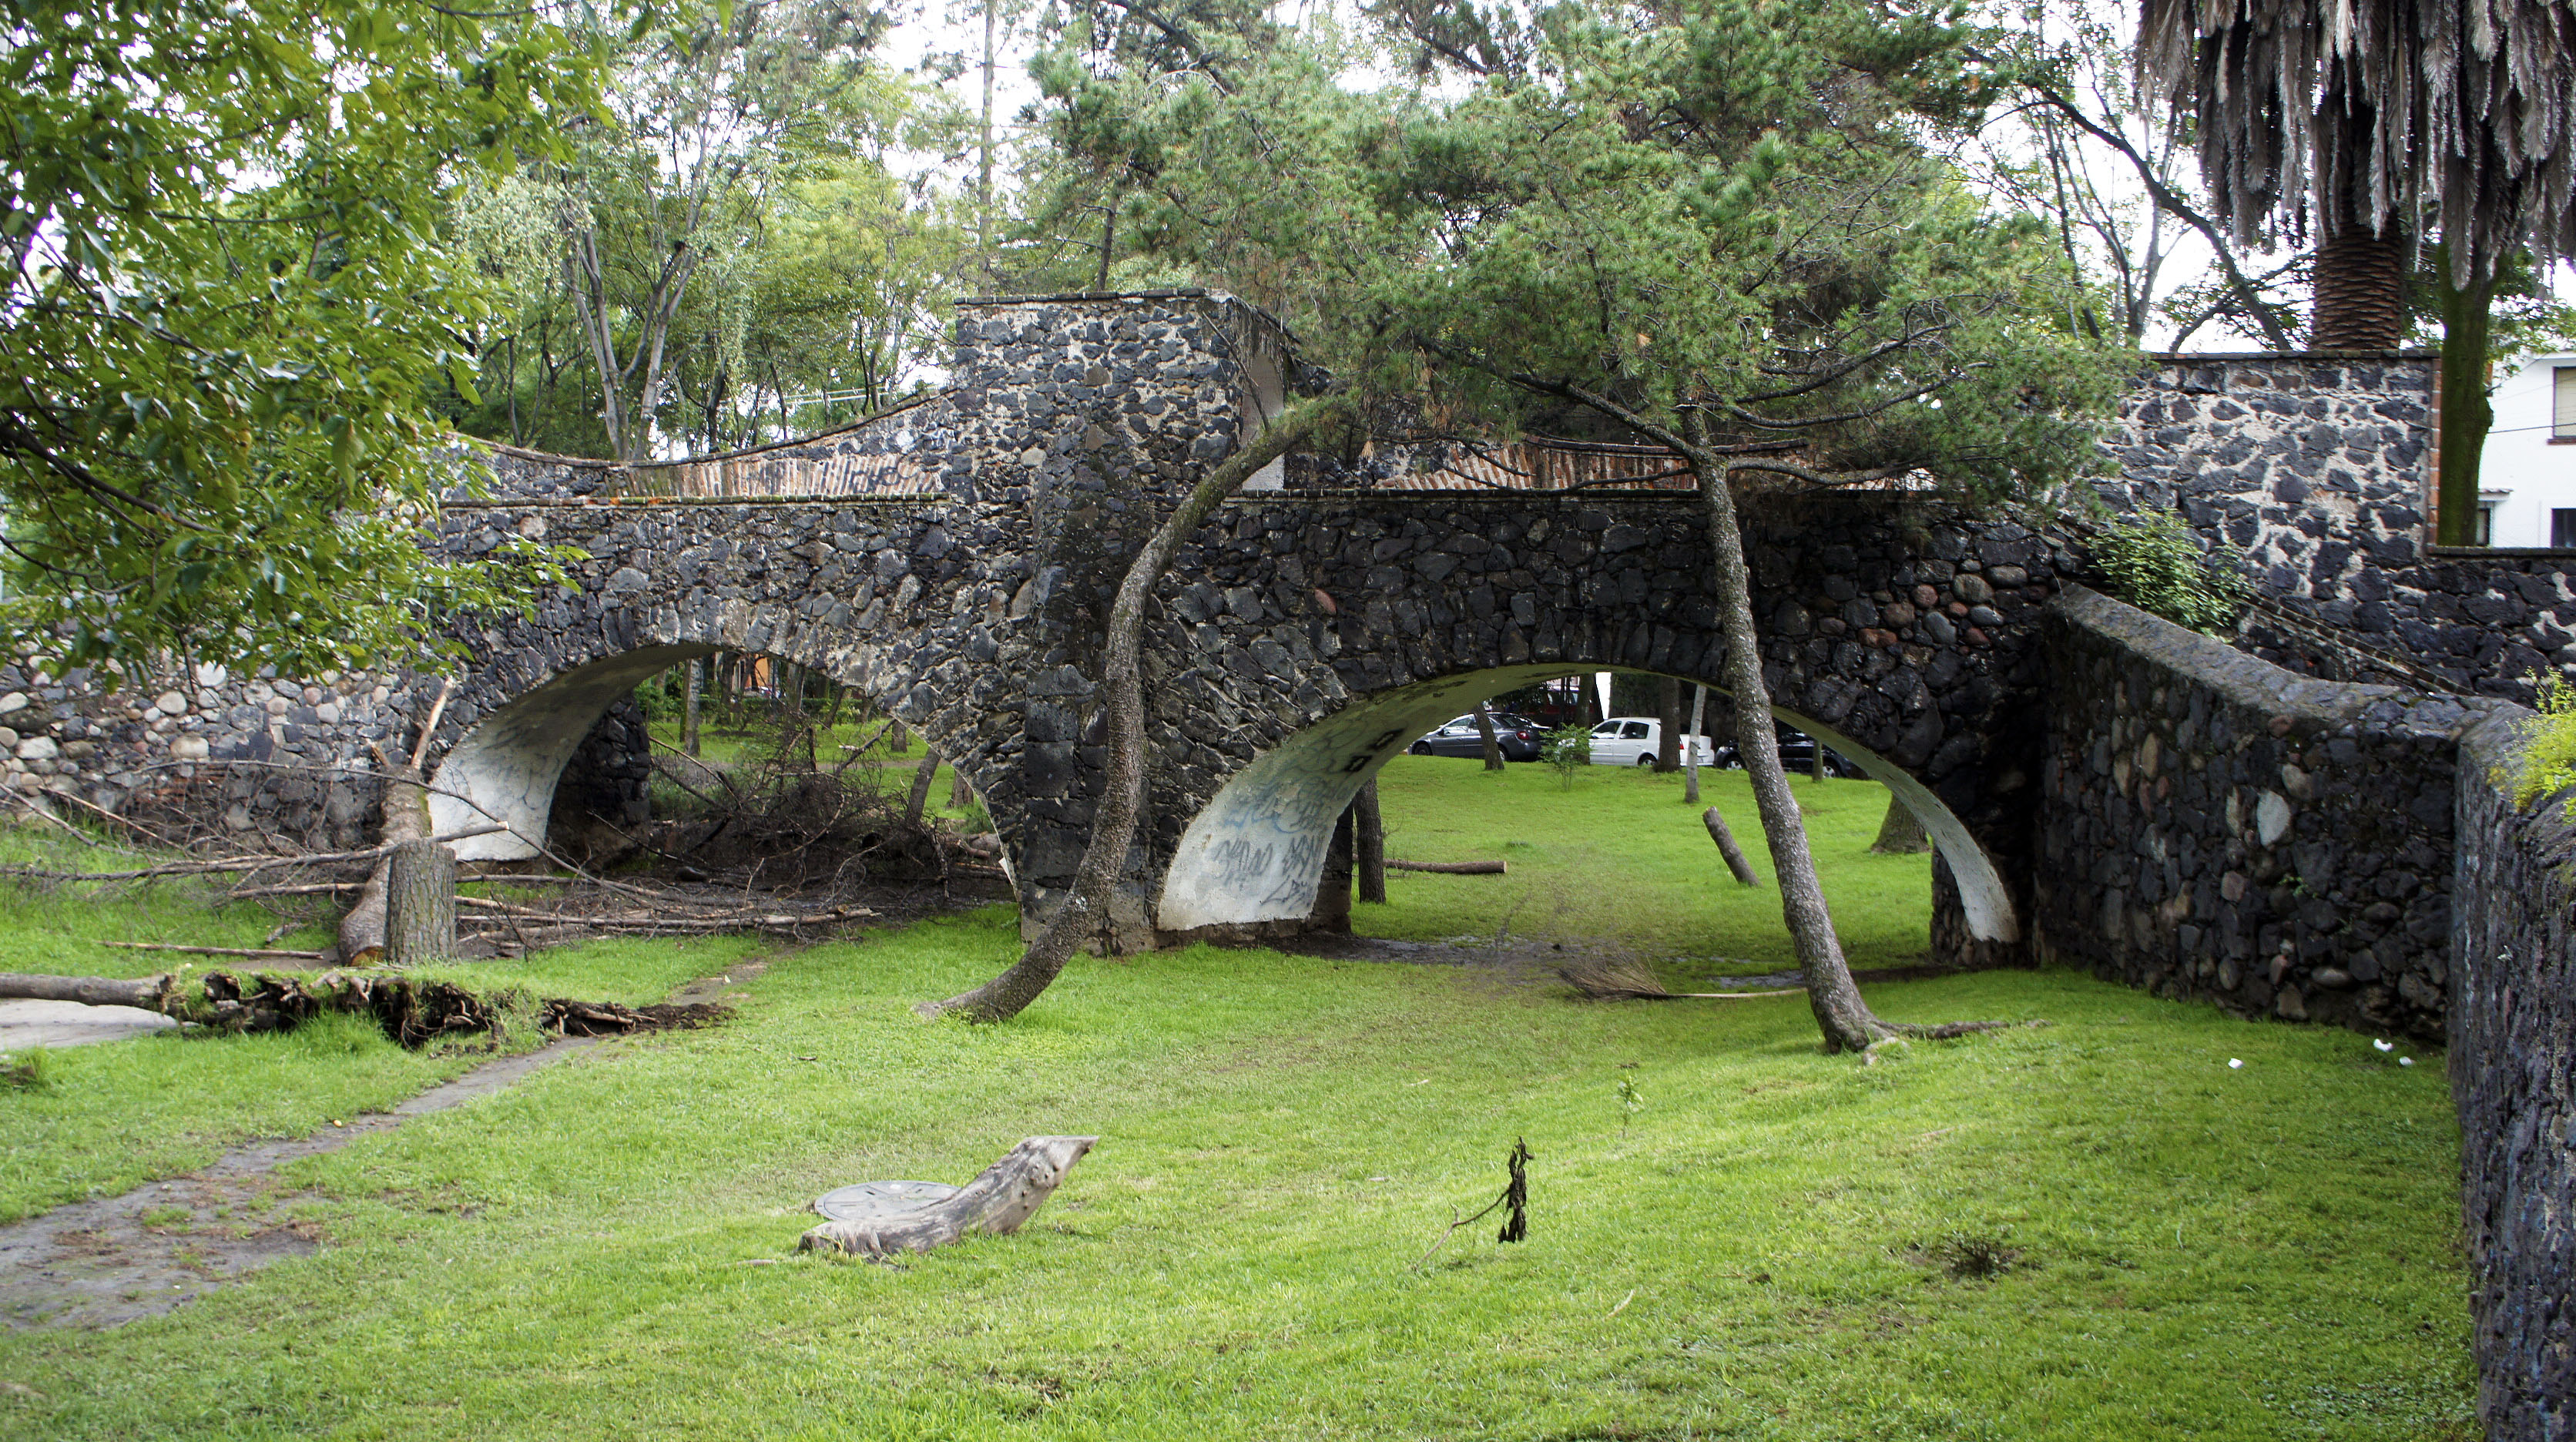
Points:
[(1300, 645)]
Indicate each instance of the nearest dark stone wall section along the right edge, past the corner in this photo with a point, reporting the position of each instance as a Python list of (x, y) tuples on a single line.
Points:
[(2513, 1072)]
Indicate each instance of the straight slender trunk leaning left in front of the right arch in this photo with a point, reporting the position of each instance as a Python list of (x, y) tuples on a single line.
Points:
[(1841, 1013)]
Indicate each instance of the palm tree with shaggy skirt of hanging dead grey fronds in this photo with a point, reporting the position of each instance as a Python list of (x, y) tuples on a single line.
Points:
[(2361, 120)]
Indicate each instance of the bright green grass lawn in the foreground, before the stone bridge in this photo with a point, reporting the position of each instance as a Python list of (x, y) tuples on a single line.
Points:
[(1766, 1248)]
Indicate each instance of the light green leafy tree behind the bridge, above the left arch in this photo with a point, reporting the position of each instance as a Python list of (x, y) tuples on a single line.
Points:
[(728, 259)]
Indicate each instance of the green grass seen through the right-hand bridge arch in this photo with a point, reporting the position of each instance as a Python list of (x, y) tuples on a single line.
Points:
[(1622, 856)]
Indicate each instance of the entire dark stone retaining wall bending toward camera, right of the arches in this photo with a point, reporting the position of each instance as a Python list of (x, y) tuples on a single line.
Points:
[(2278, 846)]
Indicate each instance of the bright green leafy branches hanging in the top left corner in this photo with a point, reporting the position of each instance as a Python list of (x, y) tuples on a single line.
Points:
[(228, 315)]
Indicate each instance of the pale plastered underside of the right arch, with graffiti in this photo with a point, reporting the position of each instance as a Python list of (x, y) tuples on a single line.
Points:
[(1256, 851)]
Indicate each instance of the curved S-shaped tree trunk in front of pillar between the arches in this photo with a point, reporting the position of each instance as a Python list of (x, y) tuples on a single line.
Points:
[(1122, 684)]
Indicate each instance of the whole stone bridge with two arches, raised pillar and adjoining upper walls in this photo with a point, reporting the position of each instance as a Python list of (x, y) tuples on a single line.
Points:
[(952, 560)]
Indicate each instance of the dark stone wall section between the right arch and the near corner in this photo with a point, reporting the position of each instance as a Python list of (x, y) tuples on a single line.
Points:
[(2219, 828)]
